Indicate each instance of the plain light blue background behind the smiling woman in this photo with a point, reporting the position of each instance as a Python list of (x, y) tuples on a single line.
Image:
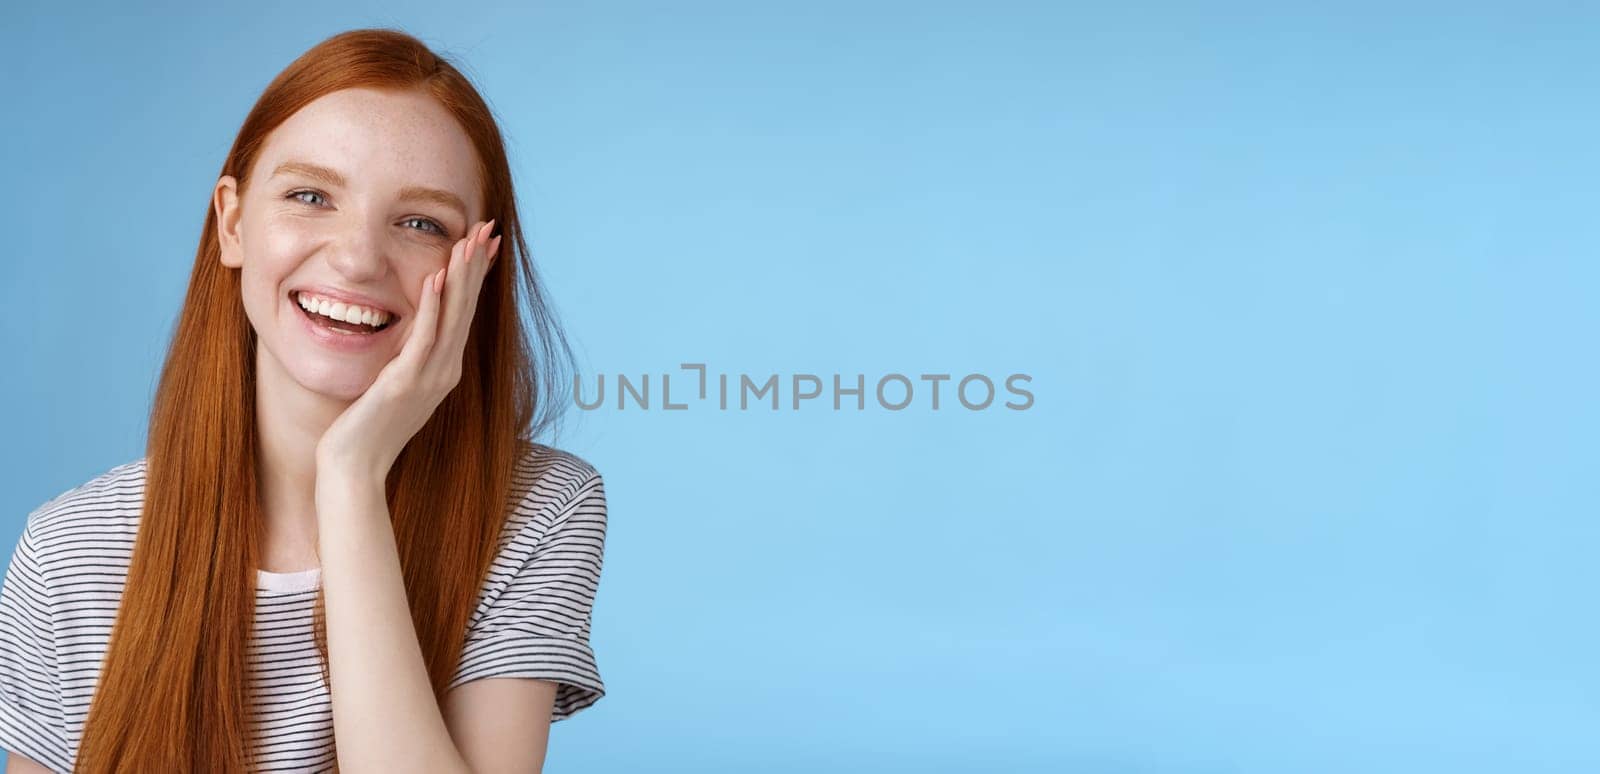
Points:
[(1308, 298)]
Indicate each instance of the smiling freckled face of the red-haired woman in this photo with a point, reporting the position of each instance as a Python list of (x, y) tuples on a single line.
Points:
[(359, 196)]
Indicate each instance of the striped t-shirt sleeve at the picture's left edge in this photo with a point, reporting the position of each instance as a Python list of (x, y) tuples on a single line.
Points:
[(31, 709)]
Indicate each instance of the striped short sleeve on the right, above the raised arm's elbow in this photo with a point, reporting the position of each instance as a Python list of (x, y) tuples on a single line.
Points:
[(535, 621)]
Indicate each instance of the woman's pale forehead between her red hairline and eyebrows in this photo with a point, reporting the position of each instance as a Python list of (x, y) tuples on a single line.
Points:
[(380, 142)]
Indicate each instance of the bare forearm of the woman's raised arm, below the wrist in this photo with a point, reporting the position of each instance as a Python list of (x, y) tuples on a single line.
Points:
[(385, 714)]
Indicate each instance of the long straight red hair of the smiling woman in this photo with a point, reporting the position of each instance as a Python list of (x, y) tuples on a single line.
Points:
[(172, 695)]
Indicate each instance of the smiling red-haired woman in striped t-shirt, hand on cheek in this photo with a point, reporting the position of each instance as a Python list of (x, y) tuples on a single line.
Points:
[(342, 548)]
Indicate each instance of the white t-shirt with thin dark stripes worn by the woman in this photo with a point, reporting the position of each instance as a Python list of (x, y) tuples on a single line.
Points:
[(66, 578)]
